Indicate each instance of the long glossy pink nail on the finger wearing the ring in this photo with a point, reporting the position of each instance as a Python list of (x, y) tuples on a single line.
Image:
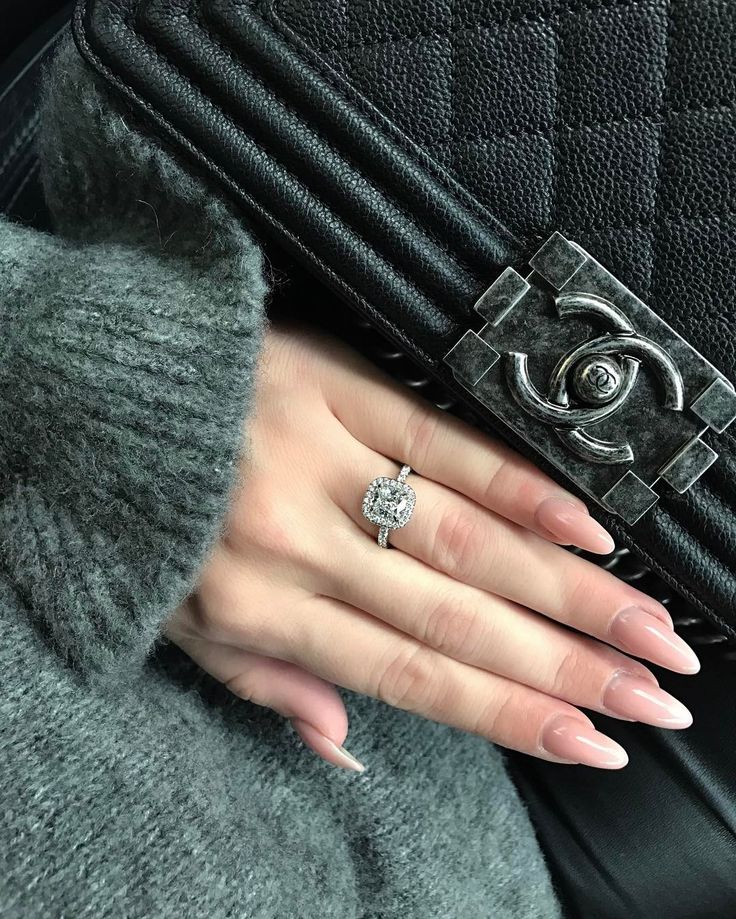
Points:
[(640, 633)]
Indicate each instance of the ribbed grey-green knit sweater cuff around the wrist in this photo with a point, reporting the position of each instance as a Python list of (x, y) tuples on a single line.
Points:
[(128, 344)]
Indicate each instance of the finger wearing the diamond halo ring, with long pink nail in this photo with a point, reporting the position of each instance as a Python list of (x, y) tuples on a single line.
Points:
[(454, 535)]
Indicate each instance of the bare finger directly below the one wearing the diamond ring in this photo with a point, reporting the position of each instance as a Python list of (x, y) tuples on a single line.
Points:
[(480, 628)]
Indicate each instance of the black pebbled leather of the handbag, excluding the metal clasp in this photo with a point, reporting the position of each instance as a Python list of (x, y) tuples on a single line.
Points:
[(406, 152)]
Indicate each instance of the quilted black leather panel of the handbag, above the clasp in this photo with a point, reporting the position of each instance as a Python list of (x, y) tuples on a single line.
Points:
[(611, 120)]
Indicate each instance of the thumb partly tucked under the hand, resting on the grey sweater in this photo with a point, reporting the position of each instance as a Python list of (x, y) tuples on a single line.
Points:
[(313, 705)]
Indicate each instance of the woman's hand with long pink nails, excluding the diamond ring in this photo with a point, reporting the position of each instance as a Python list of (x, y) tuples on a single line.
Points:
[(478, 618)]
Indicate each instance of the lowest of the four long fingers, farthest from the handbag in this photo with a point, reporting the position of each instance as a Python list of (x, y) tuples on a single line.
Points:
[(369, 656)]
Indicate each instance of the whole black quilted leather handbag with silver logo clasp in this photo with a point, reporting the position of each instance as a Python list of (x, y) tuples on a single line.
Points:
[(533, 198)]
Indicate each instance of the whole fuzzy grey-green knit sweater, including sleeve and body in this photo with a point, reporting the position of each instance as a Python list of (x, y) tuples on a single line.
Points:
[(131, 784)]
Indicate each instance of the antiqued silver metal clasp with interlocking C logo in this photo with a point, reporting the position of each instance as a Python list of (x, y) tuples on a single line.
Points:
[(587, 373)]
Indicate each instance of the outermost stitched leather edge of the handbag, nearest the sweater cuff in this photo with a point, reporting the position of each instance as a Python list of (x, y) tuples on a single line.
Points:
[(340, 283)]
